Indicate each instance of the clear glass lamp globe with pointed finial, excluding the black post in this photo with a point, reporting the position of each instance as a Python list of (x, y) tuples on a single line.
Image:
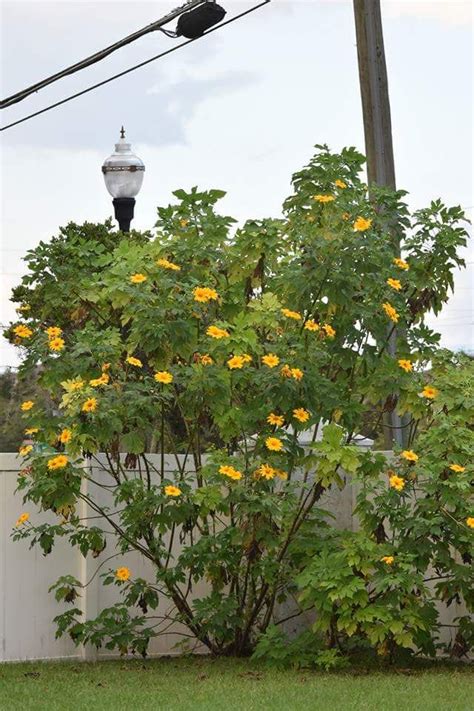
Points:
[(123, 170)]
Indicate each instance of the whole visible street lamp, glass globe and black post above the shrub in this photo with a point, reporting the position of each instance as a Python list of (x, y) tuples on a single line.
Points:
[(123, 175)]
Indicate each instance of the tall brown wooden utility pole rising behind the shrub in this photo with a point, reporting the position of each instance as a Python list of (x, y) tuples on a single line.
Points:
[(378, 136)]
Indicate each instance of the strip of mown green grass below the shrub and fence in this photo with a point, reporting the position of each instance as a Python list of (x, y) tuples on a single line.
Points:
[(203, 684)]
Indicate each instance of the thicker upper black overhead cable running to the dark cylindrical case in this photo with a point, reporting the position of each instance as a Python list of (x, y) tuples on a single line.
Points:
[(98, 56)]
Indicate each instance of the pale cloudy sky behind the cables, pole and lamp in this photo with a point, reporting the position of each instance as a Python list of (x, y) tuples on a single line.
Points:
[(239, 110)]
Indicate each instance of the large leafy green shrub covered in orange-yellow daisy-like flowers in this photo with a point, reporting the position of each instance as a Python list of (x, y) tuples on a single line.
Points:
[(222, 345)]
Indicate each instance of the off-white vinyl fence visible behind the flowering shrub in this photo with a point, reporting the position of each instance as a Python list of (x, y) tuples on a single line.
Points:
[(27, 609)]
